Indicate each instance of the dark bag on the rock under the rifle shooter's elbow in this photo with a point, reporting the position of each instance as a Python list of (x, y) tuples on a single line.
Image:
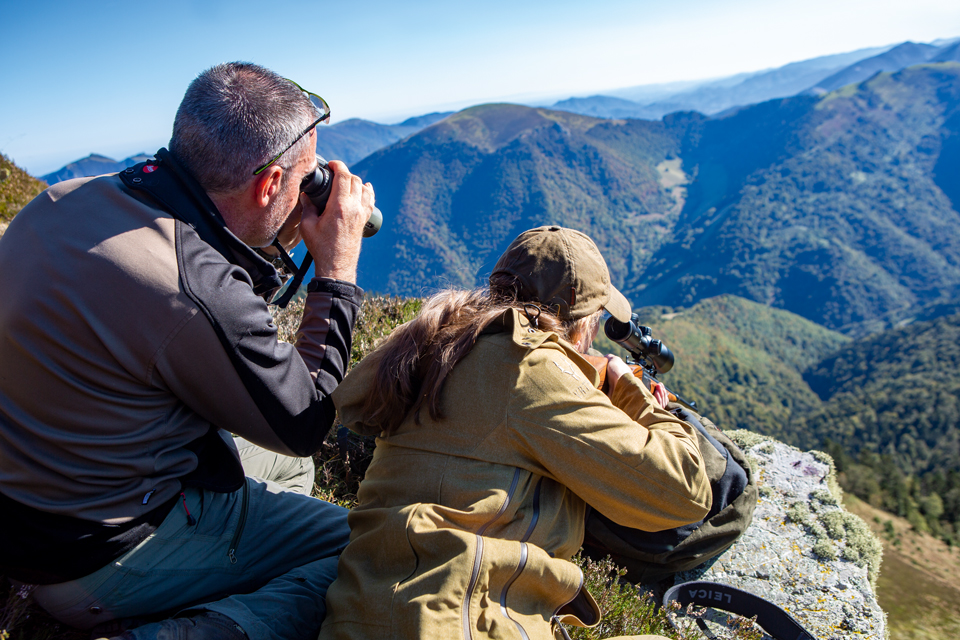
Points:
[(650, 557)]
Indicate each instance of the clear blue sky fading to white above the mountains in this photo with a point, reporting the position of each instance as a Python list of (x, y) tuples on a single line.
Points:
[(106, 77)]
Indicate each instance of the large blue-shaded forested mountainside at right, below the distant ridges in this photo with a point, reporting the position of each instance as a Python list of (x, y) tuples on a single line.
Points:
[(838, 209)]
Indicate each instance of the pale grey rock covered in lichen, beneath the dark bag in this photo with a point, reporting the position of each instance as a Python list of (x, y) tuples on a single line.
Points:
[(803, 552)]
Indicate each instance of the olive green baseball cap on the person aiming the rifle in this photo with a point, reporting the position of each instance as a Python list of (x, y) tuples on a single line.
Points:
[(563, 268)]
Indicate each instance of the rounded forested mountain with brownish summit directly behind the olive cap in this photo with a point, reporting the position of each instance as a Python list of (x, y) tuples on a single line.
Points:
[(458, 192)]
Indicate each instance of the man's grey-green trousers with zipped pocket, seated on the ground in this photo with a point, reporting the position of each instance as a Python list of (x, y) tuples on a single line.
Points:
[(263, 556)]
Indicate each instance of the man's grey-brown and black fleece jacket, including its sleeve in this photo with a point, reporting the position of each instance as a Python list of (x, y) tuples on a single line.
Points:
[(130, 338)]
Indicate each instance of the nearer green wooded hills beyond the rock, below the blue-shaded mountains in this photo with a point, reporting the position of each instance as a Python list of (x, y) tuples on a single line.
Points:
[(886, 407)]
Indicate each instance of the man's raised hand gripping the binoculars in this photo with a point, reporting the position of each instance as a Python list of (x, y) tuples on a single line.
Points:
[(334, 237)]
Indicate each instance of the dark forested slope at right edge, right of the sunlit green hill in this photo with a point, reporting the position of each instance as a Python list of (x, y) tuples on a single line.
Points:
[(892, 412)]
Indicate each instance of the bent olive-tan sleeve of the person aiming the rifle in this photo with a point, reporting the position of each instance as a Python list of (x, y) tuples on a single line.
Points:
[(633, 462)]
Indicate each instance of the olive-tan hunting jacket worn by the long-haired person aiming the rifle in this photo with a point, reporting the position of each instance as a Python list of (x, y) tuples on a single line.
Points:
[(465, 526)]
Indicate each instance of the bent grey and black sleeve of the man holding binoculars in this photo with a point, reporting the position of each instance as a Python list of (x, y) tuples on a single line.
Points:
[(227, 365)]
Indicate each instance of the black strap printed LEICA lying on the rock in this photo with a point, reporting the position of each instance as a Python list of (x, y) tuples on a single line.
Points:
[(774, 620)]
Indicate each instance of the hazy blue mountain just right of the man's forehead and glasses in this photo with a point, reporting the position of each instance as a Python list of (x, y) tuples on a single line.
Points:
[(354, 139)]
